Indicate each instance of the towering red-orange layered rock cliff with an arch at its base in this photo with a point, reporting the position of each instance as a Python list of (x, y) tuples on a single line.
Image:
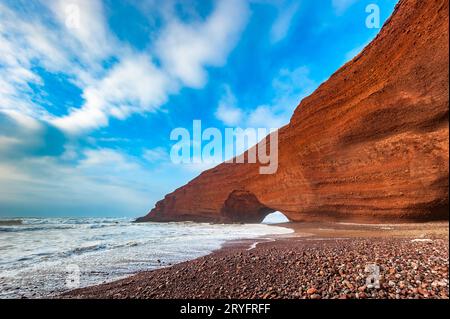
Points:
[(370, 144)]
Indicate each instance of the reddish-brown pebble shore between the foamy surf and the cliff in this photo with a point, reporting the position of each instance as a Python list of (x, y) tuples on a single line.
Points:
[(317, 260)]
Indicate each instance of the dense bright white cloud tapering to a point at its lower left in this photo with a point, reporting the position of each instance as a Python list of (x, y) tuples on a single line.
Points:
[(135, 85)]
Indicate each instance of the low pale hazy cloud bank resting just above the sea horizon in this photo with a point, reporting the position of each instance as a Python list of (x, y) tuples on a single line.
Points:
[(100, 181)]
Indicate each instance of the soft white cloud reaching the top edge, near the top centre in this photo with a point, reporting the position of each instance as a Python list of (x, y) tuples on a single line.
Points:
[(186, 49)]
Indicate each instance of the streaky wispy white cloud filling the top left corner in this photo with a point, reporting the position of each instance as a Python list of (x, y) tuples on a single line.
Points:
[(27, 41)]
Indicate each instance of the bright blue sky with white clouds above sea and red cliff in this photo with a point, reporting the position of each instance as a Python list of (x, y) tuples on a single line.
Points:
[(90, 90)]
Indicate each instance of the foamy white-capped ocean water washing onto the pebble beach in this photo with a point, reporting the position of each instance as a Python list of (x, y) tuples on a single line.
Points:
[(42, 257)]
